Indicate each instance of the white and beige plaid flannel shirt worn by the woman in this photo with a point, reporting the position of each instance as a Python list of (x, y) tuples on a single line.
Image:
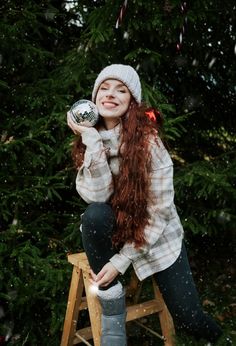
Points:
[(94, 183)]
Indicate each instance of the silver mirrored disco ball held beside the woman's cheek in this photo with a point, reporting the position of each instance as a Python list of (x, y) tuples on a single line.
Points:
[(84, 112)]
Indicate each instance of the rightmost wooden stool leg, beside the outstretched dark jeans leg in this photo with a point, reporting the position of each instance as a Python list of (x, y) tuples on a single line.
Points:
[(167, 325)]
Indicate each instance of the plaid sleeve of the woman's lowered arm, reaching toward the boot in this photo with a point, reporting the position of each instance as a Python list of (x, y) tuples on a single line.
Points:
[(161, 208)]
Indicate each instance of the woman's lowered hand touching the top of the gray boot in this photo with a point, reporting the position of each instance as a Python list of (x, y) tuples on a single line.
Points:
[(106, 275)]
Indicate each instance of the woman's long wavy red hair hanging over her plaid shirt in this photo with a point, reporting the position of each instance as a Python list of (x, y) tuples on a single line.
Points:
[(132, 185)]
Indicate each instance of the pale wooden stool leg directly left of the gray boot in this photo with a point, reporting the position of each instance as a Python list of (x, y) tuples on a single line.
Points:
[(94, 309)]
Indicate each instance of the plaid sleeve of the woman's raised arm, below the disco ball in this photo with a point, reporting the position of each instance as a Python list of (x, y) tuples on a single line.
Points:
[(94, 181)]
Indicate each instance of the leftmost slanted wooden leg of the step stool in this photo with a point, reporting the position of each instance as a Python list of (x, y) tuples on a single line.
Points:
[(72, 311)]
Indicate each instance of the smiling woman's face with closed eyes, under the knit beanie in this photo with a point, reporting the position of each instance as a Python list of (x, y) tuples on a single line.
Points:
[(113, 100)]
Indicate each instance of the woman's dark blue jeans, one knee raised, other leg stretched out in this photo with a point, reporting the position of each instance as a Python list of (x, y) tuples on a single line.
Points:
[(176, 282)]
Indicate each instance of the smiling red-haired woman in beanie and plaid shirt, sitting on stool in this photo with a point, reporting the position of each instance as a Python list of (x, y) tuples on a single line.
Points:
[(125, 174)]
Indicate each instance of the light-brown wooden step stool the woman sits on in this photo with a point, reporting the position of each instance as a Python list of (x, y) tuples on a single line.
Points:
[(77, 302)]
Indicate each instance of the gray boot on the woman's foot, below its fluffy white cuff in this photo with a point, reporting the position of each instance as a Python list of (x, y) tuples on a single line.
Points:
[(113, 321)]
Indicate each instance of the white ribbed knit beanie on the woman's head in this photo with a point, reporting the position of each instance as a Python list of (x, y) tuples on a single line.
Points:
[(124, 73)]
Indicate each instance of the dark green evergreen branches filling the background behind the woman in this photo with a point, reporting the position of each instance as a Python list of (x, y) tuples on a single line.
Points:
[(50, 55)]
